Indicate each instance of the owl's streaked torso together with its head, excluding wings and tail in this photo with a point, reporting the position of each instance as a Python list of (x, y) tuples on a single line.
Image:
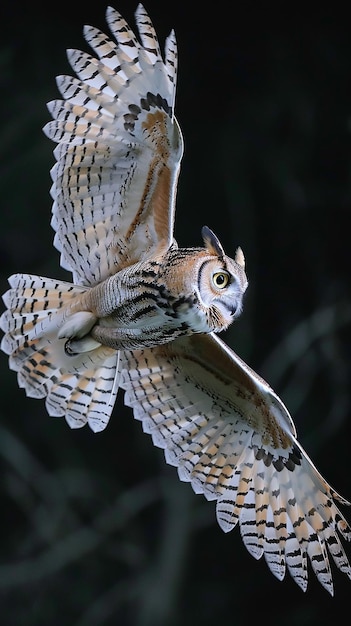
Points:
[(179, 292)]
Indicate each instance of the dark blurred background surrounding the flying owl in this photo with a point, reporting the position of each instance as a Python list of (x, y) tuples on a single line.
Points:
[(96, 529)]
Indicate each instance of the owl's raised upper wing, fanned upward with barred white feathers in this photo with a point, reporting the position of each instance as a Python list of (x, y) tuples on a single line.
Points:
[(119, 150)]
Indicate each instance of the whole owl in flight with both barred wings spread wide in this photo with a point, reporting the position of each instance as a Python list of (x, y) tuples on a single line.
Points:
[(142, 314)]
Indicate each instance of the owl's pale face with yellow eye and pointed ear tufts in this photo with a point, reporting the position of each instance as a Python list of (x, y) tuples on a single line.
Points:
[(222, 283)]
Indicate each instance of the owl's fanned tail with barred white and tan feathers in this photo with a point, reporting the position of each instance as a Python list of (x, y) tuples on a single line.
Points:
[(83, 387)]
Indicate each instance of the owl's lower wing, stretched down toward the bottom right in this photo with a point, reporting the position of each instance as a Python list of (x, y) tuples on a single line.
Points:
[(230, 435)]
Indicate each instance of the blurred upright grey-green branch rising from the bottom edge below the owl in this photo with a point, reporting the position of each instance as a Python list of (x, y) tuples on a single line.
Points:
[(163, 571)]
